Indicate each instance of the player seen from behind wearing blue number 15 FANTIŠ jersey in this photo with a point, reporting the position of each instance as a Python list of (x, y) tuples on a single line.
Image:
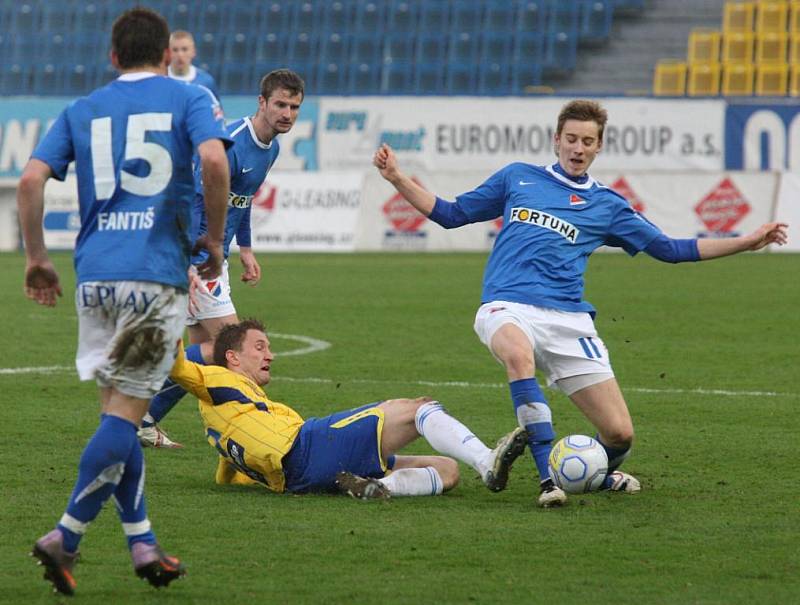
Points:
[(132, 142)]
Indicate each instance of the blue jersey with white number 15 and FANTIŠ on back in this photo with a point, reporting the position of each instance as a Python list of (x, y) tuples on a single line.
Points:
[(132, 142)]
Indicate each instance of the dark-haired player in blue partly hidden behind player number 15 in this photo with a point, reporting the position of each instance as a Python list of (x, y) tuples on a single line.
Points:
[(255, 150)]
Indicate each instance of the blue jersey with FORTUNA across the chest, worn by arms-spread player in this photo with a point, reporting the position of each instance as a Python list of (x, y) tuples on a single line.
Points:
[(551, 224)]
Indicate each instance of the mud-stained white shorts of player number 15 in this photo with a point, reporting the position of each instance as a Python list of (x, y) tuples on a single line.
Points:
[(128, 334)]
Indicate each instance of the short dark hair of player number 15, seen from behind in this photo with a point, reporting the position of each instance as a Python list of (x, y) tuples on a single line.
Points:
[(139, 37)]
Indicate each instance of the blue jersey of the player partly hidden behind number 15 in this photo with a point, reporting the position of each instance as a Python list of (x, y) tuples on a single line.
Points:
[(249, 160)]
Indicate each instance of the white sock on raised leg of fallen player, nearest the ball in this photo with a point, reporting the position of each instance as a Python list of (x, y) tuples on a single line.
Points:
[(448, 436)]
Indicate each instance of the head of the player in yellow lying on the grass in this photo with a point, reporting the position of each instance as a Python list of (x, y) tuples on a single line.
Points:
[(244, 348)]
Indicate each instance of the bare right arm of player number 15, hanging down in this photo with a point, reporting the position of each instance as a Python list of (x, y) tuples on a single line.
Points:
[(216, 184)]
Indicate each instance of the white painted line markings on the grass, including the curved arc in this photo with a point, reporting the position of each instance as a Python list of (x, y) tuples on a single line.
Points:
[(318, 345)]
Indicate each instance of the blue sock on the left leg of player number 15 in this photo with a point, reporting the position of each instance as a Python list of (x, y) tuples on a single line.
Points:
[(100, 470)]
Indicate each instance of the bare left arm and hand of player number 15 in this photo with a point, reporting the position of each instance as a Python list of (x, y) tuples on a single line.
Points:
[(41, 278)]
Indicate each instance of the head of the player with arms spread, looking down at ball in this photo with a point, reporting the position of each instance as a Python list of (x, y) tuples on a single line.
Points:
[(579, 135)]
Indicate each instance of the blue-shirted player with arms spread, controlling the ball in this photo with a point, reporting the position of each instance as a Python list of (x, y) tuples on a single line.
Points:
[(532, 311)]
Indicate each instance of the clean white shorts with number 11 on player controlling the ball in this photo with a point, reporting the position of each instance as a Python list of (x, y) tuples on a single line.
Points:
[(564, 343)]
